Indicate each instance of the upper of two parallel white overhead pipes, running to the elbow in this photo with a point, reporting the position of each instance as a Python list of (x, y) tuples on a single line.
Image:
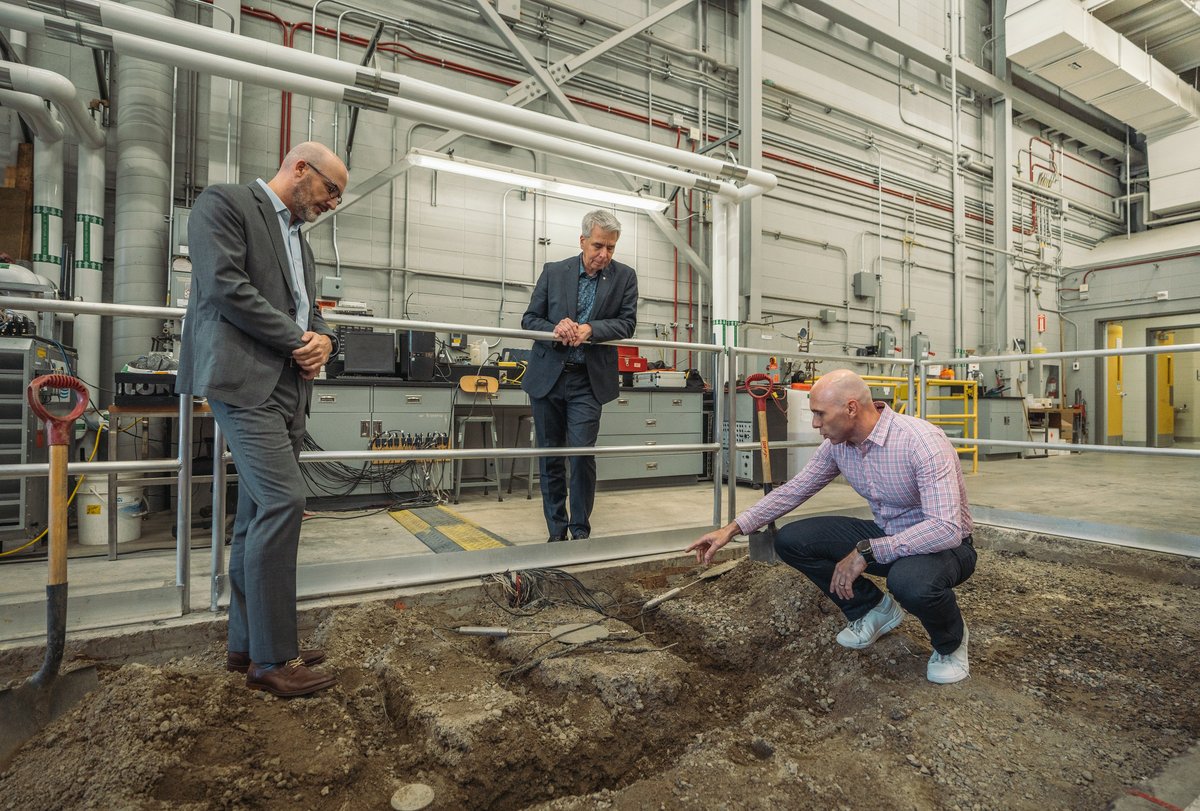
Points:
[(369, 83)]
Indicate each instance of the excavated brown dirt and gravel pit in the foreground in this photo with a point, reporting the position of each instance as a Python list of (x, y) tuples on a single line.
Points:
[(1084, 683)]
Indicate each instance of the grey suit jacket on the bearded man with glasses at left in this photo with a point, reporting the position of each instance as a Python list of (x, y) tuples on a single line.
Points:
[(241, 327)]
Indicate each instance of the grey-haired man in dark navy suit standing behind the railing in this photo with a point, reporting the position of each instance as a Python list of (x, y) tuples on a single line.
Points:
[(584, 301)]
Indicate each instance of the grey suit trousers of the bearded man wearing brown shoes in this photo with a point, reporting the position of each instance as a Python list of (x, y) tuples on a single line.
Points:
[(266, 444)]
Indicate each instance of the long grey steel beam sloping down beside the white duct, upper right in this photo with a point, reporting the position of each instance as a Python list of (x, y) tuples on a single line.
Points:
[(859, 19)]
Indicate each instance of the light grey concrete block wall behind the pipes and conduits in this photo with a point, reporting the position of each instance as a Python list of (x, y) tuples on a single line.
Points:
[(470, 251)]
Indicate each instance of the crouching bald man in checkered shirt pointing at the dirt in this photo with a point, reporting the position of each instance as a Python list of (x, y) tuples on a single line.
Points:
[(920, 539)]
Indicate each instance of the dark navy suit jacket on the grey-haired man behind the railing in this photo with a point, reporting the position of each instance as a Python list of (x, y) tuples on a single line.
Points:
[(614, 317)]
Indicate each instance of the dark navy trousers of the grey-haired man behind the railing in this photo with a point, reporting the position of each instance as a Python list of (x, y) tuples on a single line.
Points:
[(569, 417)]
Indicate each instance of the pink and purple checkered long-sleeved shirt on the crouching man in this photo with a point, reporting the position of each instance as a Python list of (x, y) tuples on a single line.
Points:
[(905, 470)]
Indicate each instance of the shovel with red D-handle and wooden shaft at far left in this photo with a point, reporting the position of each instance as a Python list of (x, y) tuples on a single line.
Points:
[(47, 695)]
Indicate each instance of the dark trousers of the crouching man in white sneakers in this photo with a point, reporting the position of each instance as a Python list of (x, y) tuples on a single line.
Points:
[(922, 584)]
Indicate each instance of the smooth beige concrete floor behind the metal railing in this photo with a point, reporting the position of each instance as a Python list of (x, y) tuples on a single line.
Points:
[(1125, 498)]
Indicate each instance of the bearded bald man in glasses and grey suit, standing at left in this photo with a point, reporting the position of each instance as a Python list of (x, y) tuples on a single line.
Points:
[(254, 341)]
